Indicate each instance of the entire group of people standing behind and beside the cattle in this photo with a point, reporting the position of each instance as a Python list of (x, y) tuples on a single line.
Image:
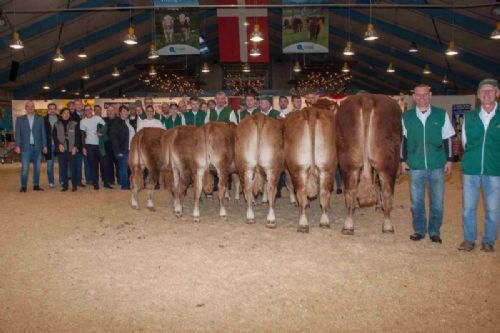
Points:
[(79, 135)]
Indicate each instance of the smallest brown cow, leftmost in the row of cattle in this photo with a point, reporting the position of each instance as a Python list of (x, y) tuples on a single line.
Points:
[(145, 153)]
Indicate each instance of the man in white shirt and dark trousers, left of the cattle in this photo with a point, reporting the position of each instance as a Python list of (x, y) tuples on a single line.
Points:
[(88, 126)]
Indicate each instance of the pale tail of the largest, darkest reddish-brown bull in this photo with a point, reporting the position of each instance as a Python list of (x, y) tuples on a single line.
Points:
[(367, 193)]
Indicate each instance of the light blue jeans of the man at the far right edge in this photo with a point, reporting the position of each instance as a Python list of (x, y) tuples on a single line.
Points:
[(491, 191)]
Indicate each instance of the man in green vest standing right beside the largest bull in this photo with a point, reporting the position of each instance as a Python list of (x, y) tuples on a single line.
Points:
[(426, 154)]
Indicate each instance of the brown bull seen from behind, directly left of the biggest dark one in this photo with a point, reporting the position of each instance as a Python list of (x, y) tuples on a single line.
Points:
[(310, 156)]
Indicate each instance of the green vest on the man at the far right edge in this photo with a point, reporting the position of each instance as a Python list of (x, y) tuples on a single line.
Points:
[(482, 148)]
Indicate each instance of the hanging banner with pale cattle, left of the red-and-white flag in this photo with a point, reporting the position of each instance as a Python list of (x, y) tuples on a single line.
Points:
[(177, 29)]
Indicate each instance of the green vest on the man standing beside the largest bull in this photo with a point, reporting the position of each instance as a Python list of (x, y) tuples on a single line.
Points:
[(425, 144)]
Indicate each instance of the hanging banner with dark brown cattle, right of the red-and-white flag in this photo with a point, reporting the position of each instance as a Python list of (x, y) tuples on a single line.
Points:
[(305, 30)]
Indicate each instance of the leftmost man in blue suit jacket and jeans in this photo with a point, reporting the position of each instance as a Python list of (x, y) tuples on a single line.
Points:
[(31, 141)]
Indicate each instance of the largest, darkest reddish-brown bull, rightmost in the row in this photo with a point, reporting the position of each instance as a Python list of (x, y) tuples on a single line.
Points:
[(368, 141)]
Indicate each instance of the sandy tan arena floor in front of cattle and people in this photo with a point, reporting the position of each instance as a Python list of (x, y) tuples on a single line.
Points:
[(87, 262)]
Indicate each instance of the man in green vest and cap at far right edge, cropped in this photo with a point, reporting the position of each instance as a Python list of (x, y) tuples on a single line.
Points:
[(481, 166)]
